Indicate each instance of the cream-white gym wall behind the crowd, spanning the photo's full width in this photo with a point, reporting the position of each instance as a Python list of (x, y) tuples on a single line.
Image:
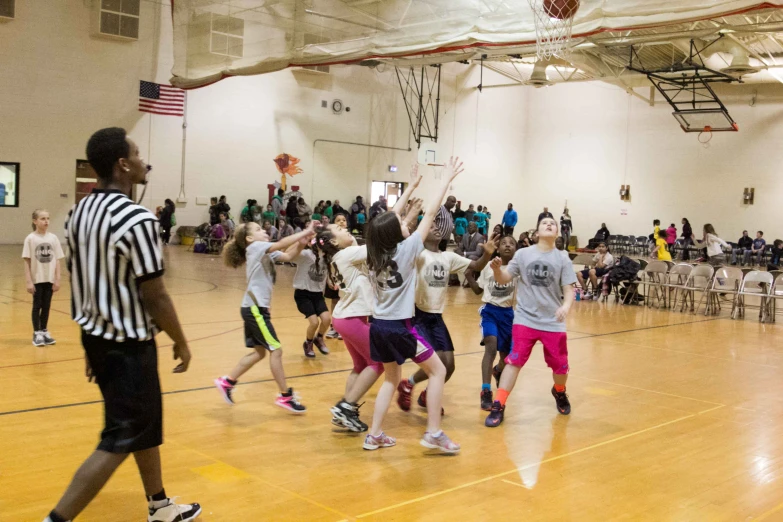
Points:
[(575, 142)]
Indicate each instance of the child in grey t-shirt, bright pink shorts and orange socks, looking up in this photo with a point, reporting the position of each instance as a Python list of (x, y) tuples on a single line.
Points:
[(545, 293)]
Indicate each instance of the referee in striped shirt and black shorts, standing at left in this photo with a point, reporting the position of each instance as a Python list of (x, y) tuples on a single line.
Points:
[(119, 300)]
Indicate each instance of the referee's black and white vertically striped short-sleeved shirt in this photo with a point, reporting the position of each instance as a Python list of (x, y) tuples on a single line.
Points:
[(113, 245)]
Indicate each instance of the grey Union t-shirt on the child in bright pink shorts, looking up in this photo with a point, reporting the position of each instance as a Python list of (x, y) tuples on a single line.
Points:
[(539, 291)]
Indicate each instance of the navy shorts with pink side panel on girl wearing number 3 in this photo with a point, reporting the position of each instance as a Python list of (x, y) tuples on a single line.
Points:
[(397, 341)]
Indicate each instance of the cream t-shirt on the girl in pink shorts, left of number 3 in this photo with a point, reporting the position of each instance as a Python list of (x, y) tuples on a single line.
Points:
[(350, 274)]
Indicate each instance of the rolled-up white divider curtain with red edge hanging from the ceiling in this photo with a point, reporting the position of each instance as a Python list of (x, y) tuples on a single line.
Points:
[(276, 34)]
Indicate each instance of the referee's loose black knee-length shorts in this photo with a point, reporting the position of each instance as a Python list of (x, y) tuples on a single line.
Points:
[(127, 374)]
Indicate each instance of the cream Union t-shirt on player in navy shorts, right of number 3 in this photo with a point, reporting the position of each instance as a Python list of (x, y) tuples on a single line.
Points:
[(433, 270)]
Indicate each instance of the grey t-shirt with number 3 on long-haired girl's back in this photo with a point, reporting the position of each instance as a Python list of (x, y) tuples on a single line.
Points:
[(395, 288)]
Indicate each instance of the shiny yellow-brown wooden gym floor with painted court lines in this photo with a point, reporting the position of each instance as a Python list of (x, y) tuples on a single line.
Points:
[(675, 417)]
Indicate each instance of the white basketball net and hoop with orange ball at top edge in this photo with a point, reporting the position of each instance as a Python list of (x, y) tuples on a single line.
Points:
[(553, 20)]
